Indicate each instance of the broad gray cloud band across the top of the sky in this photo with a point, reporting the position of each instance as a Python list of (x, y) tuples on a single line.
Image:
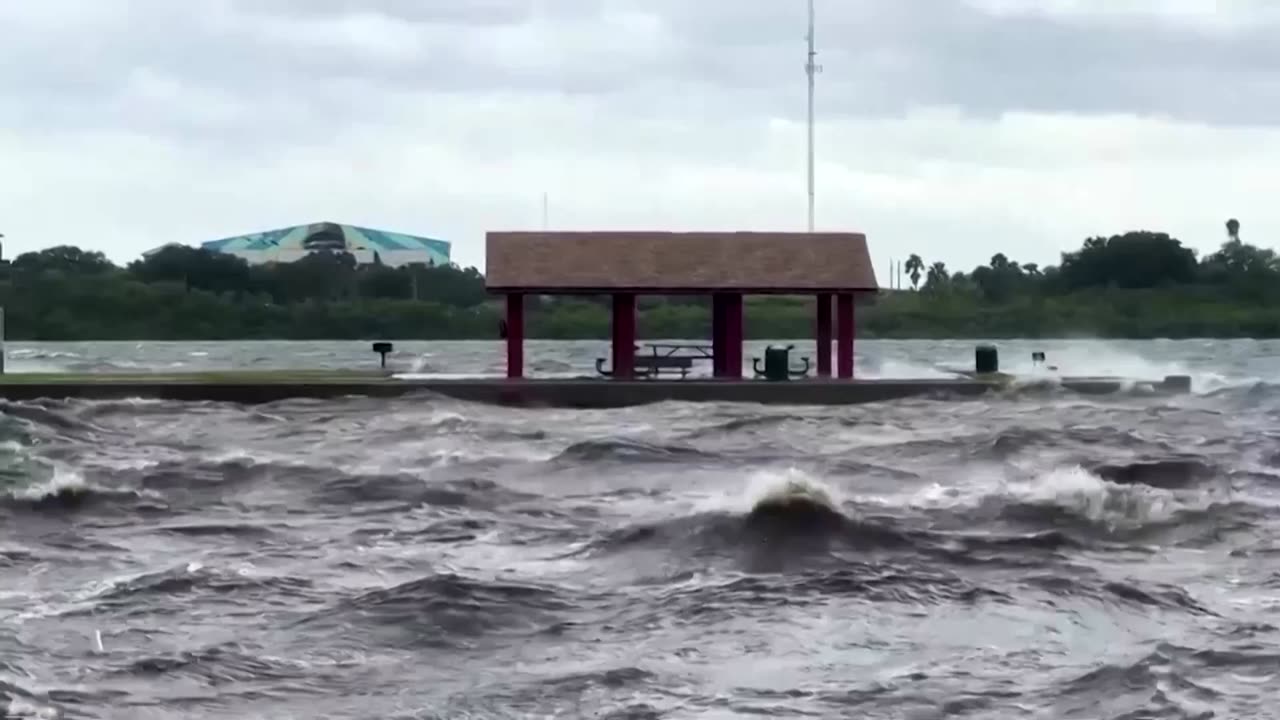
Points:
[(307, 69)]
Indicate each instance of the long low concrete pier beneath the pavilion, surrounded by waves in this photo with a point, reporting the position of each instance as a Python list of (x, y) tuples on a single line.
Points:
[(258, 388)]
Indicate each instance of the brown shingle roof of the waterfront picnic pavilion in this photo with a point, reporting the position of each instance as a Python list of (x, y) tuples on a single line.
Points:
[(668, 262)]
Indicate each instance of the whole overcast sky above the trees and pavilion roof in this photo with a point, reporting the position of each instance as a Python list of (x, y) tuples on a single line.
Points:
[(952, 129)]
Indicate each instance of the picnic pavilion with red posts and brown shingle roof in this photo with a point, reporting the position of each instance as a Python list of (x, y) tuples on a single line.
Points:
[(728, 266)]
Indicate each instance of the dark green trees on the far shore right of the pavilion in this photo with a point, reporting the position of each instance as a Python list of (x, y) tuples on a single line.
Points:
[(1133, 285)]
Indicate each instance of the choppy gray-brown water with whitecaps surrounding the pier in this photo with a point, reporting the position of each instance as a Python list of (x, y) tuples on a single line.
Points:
[(1031, 557)]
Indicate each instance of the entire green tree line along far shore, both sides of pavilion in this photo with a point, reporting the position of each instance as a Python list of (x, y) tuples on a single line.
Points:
[(1135, 285)]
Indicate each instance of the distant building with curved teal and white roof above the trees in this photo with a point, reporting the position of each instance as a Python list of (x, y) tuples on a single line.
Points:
[(368, 245)]
